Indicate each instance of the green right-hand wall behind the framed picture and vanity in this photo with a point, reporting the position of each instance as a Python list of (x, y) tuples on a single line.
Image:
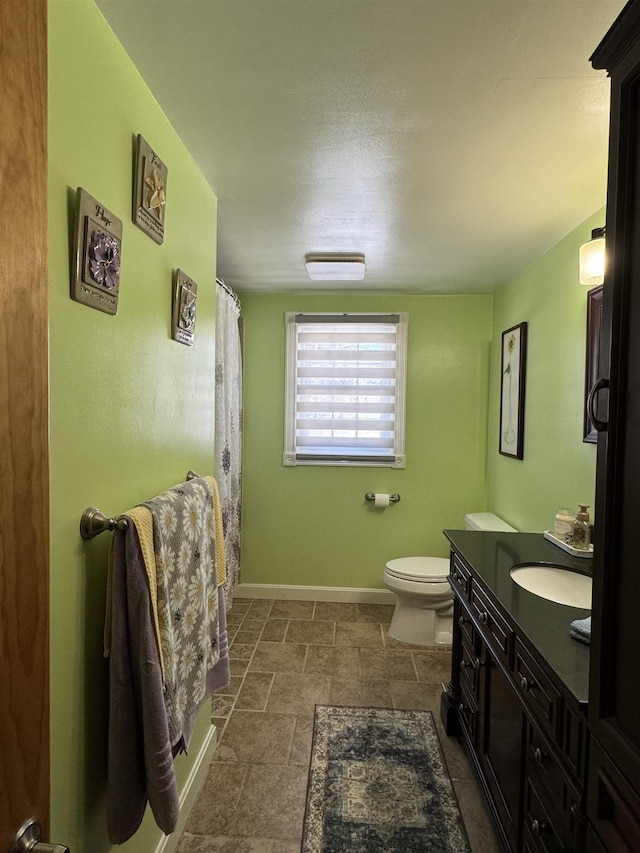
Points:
[(558, 468)]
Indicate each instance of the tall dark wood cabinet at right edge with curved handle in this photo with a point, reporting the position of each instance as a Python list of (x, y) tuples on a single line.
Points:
[(613, 801)]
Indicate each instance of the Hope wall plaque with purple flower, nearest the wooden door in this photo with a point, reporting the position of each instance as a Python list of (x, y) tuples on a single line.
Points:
[(97, 246)]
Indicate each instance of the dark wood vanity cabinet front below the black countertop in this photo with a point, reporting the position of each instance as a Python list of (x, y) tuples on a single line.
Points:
[(525, 732)]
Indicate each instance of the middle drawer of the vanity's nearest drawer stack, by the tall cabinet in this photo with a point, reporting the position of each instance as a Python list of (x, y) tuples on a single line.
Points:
[(561, 794)]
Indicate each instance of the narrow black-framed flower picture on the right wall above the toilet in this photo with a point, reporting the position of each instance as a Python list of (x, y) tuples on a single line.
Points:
[(512, 384)]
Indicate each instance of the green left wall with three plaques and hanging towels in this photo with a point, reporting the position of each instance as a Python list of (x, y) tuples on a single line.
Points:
[(131, 410)]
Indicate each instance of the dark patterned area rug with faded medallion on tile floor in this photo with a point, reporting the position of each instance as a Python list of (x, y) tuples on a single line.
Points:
[(378, 784)]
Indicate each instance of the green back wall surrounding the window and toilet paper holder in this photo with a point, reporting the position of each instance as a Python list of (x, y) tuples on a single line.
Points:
[(311, 525)]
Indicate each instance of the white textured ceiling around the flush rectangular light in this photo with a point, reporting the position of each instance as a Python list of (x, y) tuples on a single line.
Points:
[(451, 142)]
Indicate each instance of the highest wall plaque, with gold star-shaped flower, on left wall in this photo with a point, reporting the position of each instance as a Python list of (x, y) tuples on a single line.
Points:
[(149, 191)]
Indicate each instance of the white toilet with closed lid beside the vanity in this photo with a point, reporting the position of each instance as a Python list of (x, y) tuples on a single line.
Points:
[(424, 607)]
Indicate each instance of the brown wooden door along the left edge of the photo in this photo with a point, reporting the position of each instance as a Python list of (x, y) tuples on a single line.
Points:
[(24, 476)]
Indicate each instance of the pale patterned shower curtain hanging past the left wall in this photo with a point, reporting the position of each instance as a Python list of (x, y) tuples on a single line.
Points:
[(228, 427)]
